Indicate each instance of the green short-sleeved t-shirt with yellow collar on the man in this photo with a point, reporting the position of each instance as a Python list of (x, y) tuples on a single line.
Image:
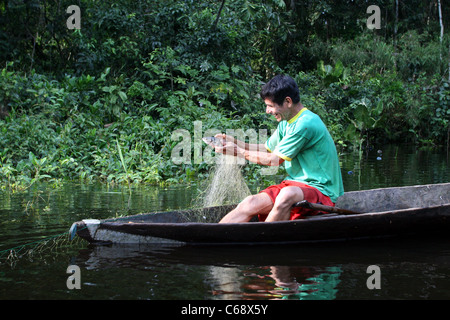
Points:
[(309, 153)]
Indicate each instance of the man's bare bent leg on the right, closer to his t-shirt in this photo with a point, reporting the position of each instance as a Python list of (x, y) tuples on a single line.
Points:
[(287, 197)]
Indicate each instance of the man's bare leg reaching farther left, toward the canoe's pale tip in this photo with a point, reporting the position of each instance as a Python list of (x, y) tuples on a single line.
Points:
[(249, 207)]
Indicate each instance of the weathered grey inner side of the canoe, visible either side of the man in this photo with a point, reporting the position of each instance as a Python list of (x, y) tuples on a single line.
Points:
[(375, 200)]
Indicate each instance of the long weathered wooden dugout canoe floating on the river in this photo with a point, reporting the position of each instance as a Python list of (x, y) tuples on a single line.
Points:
[(421, 210)]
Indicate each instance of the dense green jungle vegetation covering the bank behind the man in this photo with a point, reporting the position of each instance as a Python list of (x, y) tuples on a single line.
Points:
[(101, 102)]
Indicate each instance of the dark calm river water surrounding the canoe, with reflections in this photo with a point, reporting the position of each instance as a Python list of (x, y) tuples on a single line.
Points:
[(34, 223)]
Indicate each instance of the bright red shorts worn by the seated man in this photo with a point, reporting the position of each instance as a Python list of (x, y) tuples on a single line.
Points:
[(310, 194)]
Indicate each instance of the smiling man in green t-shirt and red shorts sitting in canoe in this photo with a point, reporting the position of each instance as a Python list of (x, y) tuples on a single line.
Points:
[(303, 144)]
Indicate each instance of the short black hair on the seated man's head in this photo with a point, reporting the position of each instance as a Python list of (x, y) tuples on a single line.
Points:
[(280, 87)]
